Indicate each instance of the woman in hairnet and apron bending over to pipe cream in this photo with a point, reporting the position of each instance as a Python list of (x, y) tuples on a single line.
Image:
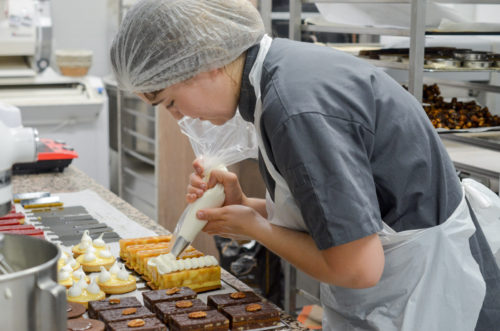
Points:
[(348, 158)]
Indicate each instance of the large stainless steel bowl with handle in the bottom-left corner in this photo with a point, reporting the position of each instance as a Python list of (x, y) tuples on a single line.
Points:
[(30, 297)]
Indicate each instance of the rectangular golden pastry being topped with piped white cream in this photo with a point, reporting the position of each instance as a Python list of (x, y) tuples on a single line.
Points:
[(200, 274)]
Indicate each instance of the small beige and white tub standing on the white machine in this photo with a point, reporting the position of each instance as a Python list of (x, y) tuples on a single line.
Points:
[(73, 62)]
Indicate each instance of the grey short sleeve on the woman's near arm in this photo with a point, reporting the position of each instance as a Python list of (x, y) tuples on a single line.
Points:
[(325, 161)]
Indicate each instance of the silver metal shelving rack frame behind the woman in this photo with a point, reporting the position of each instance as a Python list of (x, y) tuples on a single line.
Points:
[(415, 67)]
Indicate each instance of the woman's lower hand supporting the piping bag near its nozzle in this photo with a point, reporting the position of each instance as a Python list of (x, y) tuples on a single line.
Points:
[(233, 221)]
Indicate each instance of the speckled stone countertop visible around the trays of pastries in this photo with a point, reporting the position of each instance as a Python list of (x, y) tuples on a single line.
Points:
[(74, 180)]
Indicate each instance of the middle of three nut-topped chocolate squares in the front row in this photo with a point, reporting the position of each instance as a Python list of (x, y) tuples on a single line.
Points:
[(199, 320)]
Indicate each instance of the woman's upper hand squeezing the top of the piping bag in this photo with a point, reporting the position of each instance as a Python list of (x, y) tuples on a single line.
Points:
[(232, 189)]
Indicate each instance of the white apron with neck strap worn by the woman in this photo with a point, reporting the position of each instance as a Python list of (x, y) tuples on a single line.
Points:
[(430, 279)]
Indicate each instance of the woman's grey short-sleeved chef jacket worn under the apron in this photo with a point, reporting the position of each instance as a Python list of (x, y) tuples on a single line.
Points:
[(355, 148)]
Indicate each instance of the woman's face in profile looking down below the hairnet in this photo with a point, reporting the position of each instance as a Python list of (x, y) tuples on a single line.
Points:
[(209, 96)]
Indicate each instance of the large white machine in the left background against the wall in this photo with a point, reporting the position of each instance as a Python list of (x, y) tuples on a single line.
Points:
[(73, 110)]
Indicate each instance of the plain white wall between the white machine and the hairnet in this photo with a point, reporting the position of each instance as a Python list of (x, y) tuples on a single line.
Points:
[(87, 24)]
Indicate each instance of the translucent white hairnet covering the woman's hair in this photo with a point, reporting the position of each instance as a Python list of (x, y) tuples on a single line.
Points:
[(164, 42)]
